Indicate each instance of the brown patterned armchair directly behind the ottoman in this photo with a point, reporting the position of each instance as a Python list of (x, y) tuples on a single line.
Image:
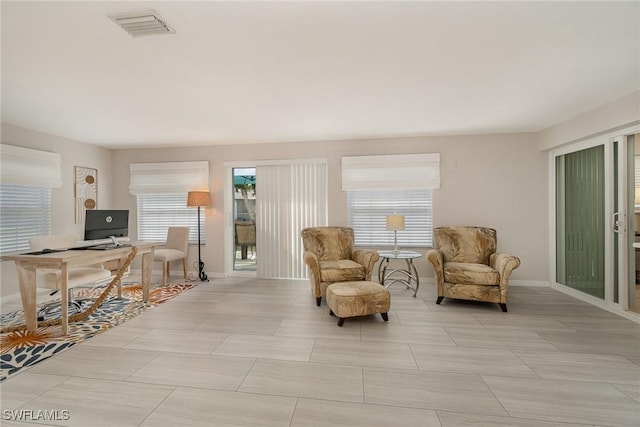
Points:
[(330, 255)]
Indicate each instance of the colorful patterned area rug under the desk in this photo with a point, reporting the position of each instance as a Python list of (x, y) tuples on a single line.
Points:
[(21, 349)]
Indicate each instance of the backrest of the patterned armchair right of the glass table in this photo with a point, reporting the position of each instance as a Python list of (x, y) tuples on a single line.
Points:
[(466, 244)]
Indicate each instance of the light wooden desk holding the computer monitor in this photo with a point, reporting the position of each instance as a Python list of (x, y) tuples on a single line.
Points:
[(26, 266)]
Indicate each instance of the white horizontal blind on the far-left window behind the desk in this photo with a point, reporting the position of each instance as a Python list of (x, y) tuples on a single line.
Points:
[(25, 212)]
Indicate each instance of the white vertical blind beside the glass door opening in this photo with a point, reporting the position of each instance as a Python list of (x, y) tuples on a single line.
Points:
[(290, 196)]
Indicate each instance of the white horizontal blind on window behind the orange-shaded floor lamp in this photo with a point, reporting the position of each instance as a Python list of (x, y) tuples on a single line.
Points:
[(158, 212)]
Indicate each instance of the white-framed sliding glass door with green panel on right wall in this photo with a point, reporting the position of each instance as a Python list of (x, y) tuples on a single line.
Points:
[(592, 239)]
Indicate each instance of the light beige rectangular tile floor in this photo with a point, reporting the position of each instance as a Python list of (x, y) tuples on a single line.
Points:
[(249, 352)]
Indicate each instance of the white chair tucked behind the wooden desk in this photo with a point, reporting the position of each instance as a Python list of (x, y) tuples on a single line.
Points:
[(89, 276)]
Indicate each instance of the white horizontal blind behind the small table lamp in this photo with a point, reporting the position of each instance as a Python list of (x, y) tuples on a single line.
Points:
[(368, 210)]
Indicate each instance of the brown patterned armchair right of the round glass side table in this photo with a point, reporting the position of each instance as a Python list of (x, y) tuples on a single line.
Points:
[(467, 266)]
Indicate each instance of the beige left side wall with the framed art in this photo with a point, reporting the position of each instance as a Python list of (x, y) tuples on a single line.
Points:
[(73, 154)]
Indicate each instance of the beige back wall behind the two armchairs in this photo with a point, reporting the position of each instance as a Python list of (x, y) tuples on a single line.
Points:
[(491, 180)]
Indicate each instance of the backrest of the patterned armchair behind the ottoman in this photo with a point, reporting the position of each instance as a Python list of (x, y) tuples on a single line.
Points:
[(329, 243)]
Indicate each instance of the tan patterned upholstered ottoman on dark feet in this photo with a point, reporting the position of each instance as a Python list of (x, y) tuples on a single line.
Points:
[(349, 299)]
